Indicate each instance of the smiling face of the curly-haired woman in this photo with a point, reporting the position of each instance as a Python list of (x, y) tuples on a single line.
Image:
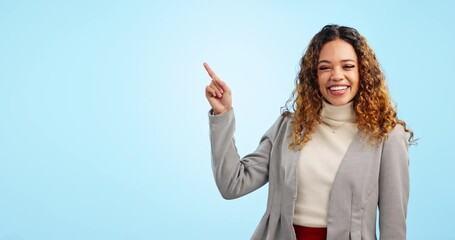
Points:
[(338, 72)]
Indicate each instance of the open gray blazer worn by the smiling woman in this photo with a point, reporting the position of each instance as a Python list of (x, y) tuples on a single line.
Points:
[(368, 178)]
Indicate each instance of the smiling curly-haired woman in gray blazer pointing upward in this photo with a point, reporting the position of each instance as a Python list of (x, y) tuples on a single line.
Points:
[(333, 157)]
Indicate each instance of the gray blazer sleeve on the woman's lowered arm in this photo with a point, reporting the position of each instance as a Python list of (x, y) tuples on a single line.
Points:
[(394, 186)]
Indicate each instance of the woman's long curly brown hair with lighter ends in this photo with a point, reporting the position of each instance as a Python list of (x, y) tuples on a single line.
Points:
[(376, 116)]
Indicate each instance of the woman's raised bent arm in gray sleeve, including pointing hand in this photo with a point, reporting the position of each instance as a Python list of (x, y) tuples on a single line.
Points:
[(234, 177)]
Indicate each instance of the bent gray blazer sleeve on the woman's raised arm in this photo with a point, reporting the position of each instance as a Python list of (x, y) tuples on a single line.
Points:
[(235, 176)]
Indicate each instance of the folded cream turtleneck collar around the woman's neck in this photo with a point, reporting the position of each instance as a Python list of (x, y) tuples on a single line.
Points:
[(343, 113)]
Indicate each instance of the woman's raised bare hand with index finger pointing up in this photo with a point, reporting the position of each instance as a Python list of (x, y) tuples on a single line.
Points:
[(218, 93)]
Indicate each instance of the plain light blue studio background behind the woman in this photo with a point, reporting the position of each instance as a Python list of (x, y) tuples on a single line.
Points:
[(103, 118)]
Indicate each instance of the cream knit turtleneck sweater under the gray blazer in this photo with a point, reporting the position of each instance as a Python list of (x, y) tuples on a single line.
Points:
[(319, 161)]
